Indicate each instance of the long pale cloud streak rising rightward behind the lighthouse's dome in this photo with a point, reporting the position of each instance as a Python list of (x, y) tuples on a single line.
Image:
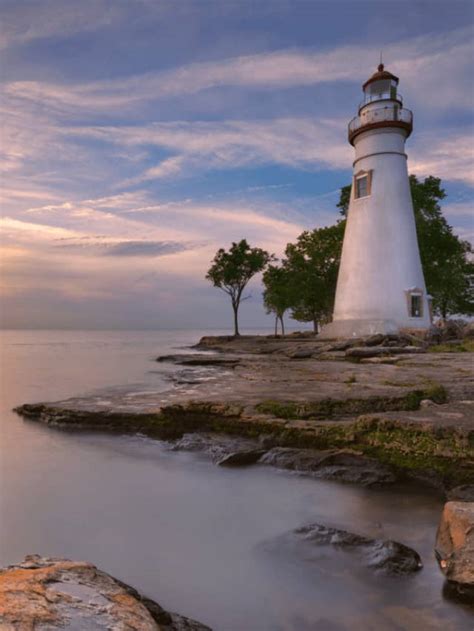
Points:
[(420, 61)]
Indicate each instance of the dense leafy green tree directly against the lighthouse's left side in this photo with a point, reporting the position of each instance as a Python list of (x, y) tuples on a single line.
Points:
[(313, 262)]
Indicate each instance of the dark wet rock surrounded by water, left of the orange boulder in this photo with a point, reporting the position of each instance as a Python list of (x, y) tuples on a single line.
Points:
[(386, 556)]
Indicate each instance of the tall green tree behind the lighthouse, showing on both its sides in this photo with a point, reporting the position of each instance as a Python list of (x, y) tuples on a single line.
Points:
[(446, 259)]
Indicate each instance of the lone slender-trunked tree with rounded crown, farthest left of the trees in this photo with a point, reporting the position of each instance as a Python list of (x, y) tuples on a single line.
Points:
[(232, 270)]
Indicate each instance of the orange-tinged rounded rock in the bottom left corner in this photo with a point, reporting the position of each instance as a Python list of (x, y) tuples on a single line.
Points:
[(43, 594)]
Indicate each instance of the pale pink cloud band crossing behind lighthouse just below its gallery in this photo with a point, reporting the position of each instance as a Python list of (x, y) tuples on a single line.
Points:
[(302, 143)]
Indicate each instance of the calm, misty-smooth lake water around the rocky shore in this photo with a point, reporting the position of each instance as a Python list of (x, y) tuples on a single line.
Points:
[(183, 531)]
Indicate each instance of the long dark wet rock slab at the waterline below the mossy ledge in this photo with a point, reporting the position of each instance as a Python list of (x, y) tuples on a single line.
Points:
[(341, 465)]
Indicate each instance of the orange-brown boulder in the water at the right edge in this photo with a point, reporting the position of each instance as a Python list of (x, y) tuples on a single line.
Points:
[(454, 548)]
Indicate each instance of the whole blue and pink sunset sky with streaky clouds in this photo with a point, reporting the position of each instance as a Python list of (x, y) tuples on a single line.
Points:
[(139, 136)]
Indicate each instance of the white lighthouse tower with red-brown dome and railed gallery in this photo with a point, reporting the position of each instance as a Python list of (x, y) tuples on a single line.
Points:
[(380, 287)]
